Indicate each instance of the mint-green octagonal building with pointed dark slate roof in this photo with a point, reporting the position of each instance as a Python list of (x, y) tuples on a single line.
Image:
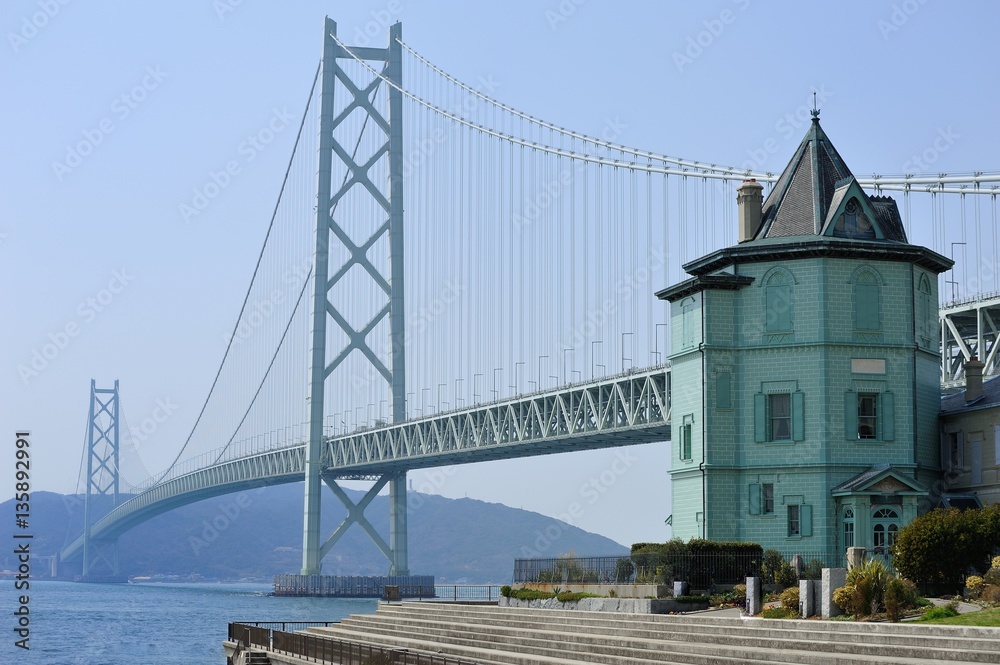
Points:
[(805, 370)]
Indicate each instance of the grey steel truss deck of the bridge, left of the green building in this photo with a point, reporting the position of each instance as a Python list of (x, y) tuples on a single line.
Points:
[(619, 411)]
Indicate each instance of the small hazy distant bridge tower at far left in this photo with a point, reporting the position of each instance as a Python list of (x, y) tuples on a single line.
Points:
[(102, 479)]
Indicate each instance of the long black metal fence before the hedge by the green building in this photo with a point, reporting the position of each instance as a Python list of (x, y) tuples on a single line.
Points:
[(700, 570)]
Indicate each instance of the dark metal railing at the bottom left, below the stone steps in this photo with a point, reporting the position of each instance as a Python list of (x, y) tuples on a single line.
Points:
[(328, 650)]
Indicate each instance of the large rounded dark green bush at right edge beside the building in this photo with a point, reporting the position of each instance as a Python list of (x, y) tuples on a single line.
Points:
[(936, 549)]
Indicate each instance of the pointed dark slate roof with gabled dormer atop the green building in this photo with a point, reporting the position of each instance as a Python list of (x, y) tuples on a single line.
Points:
[(816, 189)]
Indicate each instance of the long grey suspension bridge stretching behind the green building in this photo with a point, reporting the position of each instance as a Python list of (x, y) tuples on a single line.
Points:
[(446, 279)]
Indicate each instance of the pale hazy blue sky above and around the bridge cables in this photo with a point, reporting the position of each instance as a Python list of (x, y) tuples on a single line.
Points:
[(167, 92)]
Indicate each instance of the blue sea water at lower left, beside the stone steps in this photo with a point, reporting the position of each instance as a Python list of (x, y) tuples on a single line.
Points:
[(154, 624)]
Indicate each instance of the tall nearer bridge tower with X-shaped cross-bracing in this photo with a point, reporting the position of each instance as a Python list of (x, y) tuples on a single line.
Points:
[(329, 230)]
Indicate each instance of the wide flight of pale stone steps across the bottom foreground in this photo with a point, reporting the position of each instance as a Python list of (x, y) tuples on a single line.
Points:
[(494, 635)]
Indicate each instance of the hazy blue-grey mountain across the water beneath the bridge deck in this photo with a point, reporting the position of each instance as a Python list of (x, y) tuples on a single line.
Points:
[(258, 533)]
